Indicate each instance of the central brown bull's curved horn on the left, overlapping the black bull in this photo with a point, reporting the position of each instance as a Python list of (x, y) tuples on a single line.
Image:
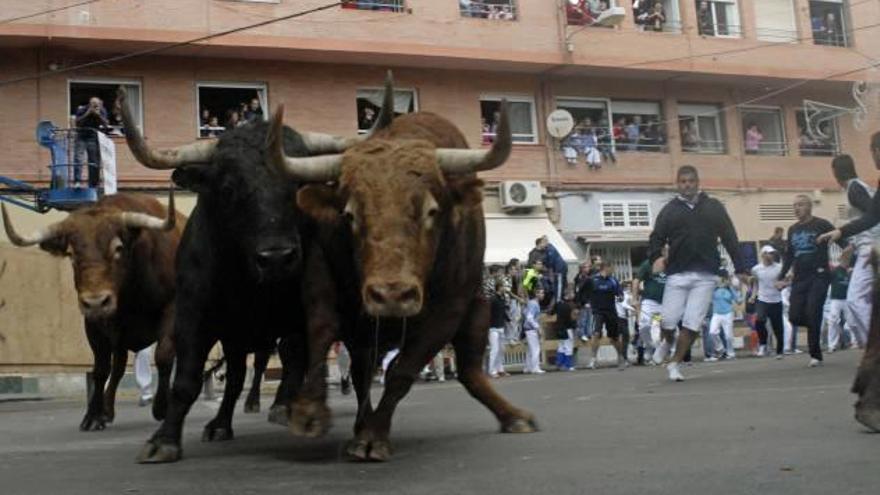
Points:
[(323, 168)]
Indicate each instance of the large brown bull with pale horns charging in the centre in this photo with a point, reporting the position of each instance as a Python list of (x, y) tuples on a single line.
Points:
[(403, 239)]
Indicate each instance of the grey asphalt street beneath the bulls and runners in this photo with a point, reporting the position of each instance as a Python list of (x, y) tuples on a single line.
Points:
[(752, 426)]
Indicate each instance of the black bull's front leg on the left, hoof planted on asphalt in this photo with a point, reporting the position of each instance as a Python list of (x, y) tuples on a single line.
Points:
[(192, 352)]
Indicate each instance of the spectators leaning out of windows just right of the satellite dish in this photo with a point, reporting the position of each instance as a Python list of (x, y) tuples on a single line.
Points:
[(598, 143)]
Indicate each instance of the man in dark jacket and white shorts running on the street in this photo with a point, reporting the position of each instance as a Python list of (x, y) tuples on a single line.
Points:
[(691, 224)]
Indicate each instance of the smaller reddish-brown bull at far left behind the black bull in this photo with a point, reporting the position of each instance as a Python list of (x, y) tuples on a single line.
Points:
[(122, 250)]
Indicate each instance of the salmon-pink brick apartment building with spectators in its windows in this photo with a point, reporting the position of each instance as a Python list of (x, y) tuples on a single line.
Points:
[(696, 84)]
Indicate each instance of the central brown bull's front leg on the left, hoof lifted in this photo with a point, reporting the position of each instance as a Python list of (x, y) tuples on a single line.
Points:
[(309, 414)]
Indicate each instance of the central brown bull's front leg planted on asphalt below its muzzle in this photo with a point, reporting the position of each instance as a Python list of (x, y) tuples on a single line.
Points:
[(371, 441)]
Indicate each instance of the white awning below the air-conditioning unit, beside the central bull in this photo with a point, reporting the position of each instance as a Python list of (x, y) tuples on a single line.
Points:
[(509, 236)]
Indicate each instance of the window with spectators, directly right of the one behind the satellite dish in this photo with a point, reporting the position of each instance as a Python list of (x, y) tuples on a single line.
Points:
[(638, 126)]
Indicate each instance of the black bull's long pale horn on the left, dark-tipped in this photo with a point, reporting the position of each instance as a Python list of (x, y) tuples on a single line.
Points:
[(200, 151)]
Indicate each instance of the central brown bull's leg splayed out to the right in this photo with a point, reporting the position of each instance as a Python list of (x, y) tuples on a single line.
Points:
[(470, 345)]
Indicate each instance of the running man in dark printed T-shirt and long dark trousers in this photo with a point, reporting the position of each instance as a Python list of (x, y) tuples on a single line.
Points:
[(809, 285)]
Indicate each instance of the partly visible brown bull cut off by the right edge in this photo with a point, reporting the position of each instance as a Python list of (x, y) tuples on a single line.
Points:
[(867, 383)]
